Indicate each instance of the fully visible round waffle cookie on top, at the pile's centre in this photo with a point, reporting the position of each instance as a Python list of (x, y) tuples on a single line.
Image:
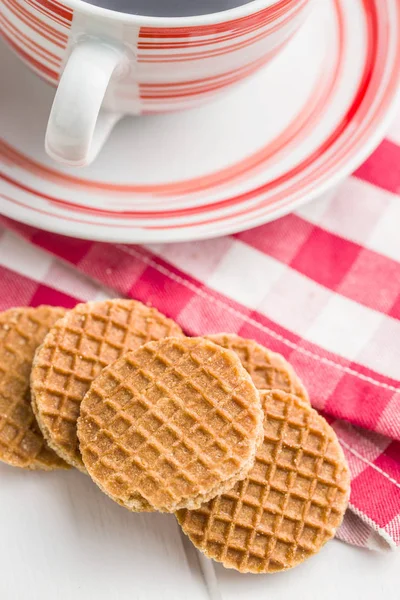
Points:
[(170, 425)]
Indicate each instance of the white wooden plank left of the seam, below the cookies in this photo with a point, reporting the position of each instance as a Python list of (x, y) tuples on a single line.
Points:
[(61, 538)]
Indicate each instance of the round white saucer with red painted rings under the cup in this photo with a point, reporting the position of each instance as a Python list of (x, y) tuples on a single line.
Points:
[(276, 141)]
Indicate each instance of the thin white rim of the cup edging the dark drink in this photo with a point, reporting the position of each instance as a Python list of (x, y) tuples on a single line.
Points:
[(216, 18)]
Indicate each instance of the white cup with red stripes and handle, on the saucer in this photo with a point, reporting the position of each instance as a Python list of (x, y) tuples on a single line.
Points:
[(108, 64)]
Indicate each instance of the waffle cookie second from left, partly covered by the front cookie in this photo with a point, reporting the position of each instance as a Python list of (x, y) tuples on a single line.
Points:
[(87, 339)]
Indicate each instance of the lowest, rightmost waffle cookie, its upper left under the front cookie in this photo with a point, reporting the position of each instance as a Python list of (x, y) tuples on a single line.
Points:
[(292, 501)]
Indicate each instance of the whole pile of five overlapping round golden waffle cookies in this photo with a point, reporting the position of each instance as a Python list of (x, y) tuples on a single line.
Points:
[(218, 429)]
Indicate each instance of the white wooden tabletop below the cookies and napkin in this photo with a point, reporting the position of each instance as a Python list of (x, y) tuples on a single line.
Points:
[(62, 539)]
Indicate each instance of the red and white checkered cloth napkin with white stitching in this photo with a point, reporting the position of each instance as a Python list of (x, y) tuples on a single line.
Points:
[(321, 286)]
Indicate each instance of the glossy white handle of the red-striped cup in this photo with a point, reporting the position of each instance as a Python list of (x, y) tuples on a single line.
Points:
[(78, 127)]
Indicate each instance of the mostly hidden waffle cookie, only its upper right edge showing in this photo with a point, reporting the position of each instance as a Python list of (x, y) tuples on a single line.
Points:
[(268, 370)]
